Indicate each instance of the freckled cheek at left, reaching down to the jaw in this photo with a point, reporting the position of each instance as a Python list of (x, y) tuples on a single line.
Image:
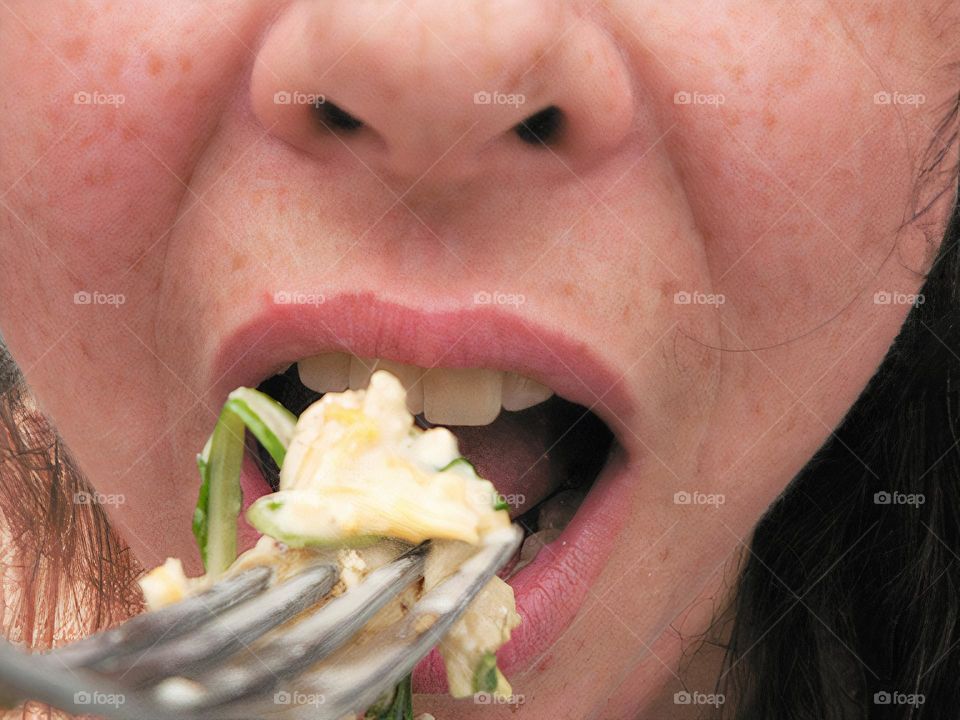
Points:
[(95, 188)]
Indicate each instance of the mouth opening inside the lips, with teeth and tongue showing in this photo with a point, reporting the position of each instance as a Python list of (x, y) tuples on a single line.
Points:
[(541, 452)]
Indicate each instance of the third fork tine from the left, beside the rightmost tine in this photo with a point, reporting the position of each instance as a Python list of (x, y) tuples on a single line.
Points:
[(288, 652)]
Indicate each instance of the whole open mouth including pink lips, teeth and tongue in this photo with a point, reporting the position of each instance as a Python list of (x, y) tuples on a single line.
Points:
[(516, 395)]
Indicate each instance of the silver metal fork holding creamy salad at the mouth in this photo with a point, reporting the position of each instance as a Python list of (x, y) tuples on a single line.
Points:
[(246, 649)]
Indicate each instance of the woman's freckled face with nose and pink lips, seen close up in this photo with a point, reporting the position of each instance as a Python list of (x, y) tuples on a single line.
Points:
[(711, 253)]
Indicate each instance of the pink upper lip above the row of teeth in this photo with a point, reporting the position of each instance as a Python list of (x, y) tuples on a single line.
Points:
[(364, 325)]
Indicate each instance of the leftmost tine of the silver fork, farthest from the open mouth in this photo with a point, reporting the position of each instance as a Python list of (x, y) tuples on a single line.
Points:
[(146, 630)]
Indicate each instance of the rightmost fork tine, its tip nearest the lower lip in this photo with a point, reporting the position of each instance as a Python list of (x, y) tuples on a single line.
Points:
[(355, 677)]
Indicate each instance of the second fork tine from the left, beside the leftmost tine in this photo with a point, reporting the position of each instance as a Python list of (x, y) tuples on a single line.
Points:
[(228, 632)]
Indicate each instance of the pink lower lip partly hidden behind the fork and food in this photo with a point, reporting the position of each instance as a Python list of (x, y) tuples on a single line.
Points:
[(549, 592)]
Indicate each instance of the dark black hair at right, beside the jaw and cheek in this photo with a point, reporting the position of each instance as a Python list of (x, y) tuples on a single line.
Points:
[(848, 605)]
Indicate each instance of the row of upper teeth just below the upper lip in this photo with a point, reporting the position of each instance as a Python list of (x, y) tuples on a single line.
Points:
[(445, 396)]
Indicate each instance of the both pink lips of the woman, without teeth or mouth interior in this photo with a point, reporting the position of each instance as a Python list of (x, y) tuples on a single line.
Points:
[(552, 589)]
